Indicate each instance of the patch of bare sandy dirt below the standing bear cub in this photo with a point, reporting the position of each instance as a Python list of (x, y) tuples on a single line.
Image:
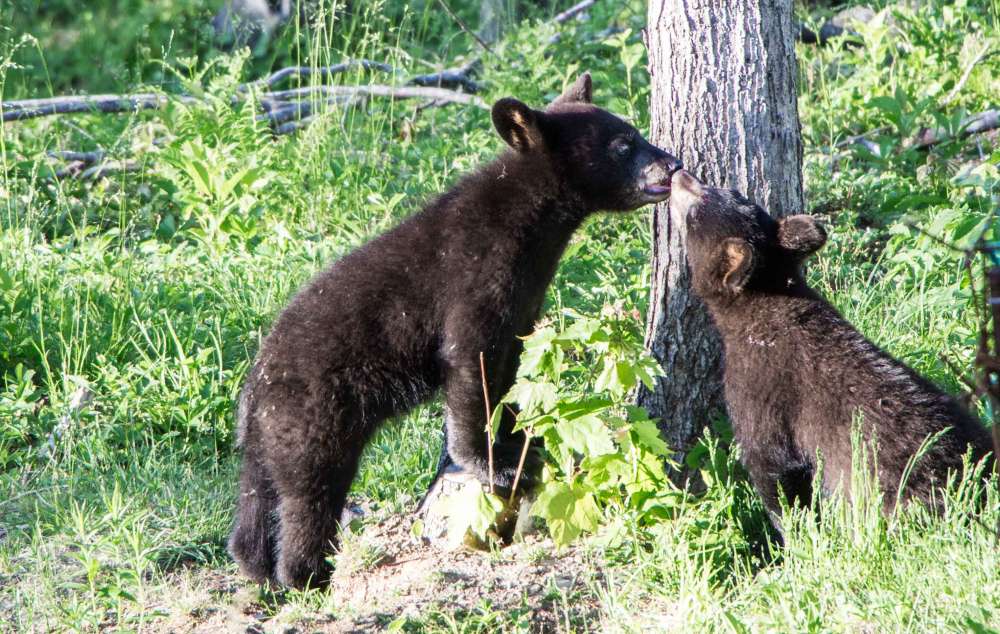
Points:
[(384, 576)]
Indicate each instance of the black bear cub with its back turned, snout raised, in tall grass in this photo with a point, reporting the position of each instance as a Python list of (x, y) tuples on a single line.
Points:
[(798, 375)]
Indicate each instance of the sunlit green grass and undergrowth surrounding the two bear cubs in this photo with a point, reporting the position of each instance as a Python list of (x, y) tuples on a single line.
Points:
[(151, 290)]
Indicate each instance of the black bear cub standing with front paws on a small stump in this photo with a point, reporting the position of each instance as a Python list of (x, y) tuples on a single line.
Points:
[(386, 326)]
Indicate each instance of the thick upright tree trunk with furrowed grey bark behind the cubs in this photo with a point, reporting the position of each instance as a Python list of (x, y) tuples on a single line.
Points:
[(724, 101)]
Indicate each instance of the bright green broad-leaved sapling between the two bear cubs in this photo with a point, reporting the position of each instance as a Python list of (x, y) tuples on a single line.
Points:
[(600, 452)]
